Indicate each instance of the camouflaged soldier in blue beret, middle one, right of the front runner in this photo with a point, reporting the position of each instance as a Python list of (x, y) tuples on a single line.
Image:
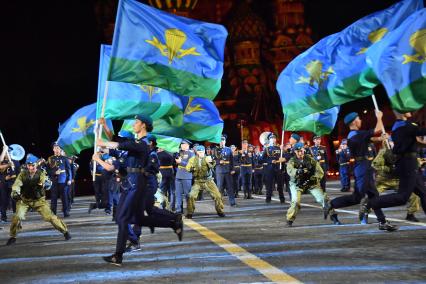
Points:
[(201, 168)]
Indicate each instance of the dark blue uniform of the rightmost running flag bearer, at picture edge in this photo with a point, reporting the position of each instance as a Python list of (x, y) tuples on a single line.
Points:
[(404, 134)]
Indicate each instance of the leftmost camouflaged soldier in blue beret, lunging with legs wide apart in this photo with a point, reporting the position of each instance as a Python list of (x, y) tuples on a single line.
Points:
[(29, 191)]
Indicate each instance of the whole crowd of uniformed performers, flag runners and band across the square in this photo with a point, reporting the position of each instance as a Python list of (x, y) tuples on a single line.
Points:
[(143, 185)]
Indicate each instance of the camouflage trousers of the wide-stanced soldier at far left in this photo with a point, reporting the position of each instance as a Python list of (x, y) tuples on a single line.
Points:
[(42, 207)]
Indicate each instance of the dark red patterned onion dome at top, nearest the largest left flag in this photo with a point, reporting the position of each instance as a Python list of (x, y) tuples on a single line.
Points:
[(245, 25)]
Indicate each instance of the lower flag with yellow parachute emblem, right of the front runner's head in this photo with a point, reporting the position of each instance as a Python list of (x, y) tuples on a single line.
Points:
[(197, 119)]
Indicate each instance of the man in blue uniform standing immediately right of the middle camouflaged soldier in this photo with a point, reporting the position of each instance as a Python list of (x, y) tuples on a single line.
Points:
[(224, 169)]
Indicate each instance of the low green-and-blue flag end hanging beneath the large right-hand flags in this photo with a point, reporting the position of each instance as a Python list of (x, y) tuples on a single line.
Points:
[(320, 123)]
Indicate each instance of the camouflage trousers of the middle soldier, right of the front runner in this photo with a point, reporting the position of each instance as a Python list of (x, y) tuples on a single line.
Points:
[(211, 188)]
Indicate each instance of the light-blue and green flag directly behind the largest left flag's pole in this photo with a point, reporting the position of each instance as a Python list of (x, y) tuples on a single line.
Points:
[(126, 100)]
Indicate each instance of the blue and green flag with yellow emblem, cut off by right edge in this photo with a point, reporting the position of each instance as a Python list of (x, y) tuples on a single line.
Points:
[(400, 63)]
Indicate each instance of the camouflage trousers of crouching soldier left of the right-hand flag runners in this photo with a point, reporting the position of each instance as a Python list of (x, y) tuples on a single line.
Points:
[(296, 196)]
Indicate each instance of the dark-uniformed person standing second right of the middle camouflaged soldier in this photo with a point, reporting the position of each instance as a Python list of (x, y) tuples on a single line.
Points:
[(247, 165)]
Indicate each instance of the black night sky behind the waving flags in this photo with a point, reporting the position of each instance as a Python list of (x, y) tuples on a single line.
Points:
[(51, 54)]
